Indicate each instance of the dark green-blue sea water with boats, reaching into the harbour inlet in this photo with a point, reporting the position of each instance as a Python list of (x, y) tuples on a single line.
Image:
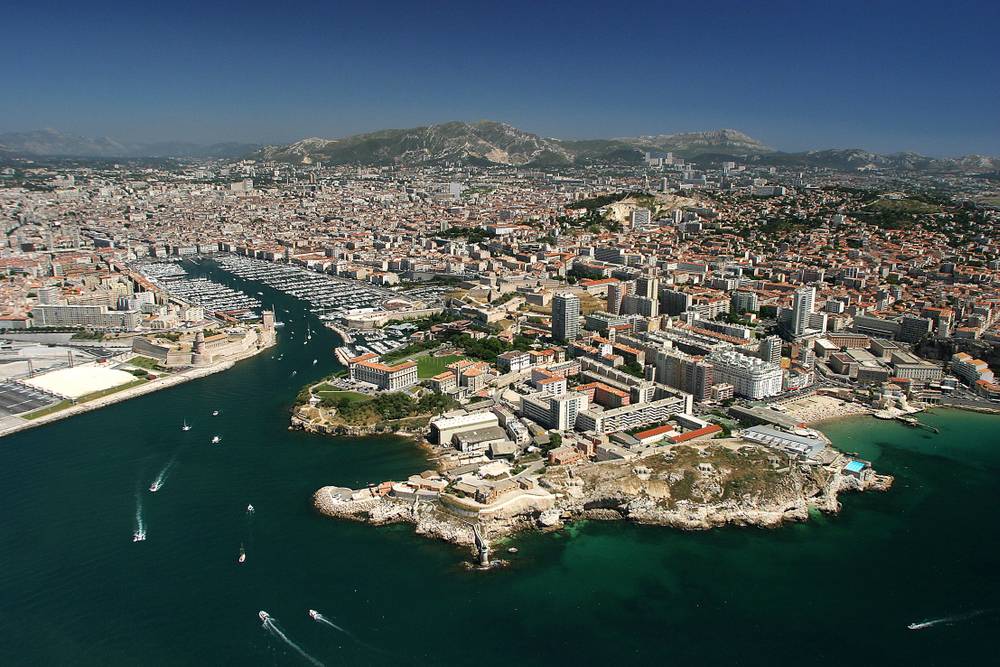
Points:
[(74, 589)]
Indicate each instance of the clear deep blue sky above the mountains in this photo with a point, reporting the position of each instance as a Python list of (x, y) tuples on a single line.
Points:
[(798, 75)]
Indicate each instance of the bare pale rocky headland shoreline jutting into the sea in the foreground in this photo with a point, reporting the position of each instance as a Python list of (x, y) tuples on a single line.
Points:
[(655, 490)]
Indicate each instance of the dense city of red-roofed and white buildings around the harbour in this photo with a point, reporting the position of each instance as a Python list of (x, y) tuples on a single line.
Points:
[(522, 320)]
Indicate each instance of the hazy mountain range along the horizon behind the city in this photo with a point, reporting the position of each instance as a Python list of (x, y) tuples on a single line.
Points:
[(489, 142)]
